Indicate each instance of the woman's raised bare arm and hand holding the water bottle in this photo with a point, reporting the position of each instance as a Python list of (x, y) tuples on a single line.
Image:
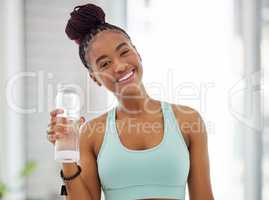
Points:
[(86, 186)]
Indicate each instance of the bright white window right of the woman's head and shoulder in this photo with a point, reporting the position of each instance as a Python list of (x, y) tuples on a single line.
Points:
[(192, 55)]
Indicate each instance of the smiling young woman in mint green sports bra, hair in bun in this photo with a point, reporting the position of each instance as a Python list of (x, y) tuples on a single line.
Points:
[(142, 148)]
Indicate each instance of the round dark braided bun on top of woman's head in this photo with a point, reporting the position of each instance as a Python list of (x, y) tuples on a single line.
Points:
[(83, 19)]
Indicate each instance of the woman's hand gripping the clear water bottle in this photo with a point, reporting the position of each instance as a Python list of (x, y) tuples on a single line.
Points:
[(59, 126)]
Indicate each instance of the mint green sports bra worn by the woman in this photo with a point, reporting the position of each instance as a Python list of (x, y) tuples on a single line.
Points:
[(158, 172)]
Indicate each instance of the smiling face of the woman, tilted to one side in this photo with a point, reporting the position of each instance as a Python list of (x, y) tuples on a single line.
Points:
[(115, 62)]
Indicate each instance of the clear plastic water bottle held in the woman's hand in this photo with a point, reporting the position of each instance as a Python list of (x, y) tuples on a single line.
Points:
[(67, 147)]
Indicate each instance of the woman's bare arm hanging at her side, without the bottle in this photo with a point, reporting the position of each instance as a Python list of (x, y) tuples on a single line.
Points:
[(199, 176)]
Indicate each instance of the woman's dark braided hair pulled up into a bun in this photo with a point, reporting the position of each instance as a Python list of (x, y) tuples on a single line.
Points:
[(85, 22)]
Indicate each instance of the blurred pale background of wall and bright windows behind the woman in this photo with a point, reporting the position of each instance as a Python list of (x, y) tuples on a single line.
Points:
[(210, 55)]
